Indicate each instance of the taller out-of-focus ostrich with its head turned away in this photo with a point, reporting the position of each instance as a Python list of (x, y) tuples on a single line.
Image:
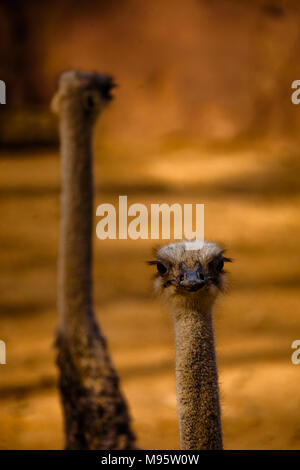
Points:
[(95, 412)]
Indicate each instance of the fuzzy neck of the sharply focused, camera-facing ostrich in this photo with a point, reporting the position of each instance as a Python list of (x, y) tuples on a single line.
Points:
[(197, 380)]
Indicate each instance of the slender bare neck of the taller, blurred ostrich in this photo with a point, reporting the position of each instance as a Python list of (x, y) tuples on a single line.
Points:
[(75, 257)]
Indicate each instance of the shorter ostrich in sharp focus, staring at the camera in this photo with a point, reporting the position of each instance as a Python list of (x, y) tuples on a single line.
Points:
[(189, 276)]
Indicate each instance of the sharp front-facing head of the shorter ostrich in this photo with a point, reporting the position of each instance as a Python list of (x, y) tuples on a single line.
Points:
[(190, 272)]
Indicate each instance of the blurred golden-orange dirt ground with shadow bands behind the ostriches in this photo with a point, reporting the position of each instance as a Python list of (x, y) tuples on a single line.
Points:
[(251, 196)]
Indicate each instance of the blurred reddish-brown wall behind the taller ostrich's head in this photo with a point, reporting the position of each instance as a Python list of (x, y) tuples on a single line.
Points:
[(218, 69)]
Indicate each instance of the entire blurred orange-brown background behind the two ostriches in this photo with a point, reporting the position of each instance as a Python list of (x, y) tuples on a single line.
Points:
[(203, 113)]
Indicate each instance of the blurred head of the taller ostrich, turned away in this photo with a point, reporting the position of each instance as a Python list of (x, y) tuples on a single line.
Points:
[(82, 94)]
